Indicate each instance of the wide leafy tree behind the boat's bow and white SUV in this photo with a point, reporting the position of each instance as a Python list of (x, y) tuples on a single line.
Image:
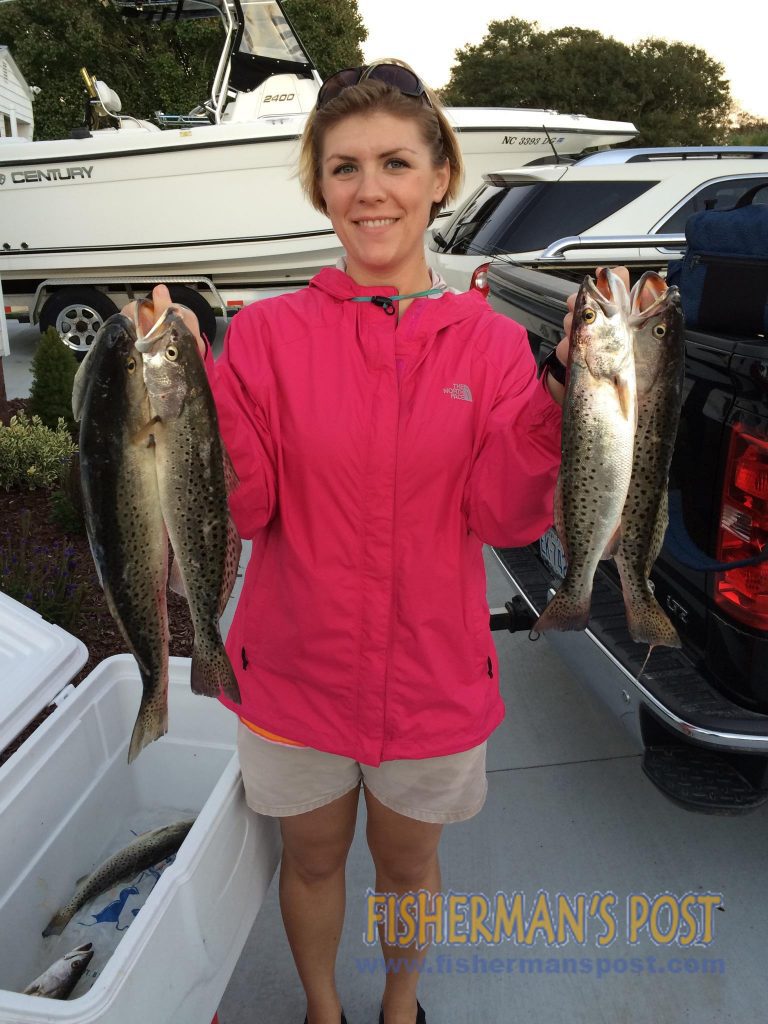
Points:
[(674, 94)]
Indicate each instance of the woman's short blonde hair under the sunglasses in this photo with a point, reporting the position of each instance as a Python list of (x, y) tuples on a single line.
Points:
[(372, 97)]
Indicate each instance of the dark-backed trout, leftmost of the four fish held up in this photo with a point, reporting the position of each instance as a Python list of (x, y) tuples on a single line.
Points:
[(123, 515)]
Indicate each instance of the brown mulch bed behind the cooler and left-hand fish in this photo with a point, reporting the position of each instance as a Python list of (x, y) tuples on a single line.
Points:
[(95, 626)]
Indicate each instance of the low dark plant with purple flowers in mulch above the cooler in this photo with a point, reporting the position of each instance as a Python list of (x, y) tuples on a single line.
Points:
[(42, 577)]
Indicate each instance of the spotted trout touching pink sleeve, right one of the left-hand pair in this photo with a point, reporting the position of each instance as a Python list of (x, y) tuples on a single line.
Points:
[(194, 479)]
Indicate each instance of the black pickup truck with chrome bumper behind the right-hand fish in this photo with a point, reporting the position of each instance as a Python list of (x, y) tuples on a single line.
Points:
[(702, 712)]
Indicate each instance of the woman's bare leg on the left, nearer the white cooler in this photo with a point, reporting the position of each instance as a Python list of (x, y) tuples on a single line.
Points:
[(313, 898)]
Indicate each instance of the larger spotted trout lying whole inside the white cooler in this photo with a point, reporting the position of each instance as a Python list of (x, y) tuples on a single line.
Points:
[(147, 851)]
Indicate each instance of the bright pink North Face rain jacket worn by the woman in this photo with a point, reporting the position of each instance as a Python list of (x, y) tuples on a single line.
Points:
[(363, 626)]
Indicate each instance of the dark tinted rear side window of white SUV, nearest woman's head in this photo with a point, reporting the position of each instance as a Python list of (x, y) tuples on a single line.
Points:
[(532, 217)]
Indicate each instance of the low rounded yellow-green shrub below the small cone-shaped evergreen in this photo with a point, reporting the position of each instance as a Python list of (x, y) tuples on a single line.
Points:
[(31, 455)]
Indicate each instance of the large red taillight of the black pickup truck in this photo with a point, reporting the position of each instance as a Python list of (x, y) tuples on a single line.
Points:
[(744, 531)]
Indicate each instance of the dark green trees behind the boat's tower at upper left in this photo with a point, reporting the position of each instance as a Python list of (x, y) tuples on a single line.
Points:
[(165, 67)]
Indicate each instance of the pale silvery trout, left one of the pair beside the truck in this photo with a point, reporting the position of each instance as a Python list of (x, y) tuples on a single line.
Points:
[(599, 431)]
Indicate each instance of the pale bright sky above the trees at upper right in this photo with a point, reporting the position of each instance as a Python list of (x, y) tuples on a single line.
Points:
[(428, 33)]
